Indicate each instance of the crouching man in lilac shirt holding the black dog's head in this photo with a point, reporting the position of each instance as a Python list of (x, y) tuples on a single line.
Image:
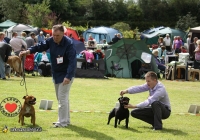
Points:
[(156, 107)]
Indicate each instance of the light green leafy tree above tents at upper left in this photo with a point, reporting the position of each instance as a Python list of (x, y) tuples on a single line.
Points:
[(38, 13)]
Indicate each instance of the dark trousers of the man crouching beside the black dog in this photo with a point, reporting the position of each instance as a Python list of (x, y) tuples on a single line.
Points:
[(152, 115)]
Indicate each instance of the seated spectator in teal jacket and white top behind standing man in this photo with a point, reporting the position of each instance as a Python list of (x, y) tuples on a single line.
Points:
[(44, 63)]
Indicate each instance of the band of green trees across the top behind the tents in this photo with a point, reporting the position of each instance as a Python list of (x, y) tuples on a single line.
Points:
[(137, 13)]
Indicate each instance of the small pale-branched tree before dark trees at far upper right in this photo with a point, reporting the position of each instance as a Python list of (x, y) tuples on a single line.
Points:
[(186, 22)]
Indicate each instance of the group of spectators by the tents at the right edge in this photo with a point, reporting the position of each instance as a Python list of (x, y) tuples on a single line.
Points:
[(166, 46)]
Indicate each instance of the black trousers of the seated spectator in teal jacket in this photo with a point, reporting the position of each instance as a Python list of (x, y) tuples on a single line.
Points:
[(45, 67)]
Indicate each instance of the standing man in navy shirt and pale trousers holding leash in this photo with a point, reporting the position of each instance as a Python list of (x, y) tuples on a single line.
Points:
[(63, 61)]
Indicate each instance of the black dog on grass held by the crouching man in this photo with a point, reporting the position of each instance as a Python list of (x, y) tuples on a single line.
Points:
[(120, 113)]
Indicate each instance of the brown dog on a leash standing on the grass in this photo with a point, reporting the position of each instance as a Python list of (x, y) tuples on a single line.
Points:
[(27, 109)]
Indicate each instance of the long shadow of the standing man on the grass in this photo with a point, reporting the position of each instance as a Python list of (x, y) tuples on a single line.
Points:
[(89, 134)]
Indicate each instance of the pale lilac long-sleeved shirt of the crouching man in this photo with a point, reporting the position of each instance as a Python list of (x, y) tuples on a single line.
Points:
[(158, 93)]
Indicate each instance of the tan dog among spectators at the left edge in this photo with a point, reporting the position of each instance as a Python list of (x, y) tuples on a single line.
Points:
[(15, 63)]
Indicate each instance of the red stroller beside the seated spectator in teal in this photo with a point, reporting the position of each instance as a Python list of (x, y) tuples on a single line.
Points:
[(29, 65)]
